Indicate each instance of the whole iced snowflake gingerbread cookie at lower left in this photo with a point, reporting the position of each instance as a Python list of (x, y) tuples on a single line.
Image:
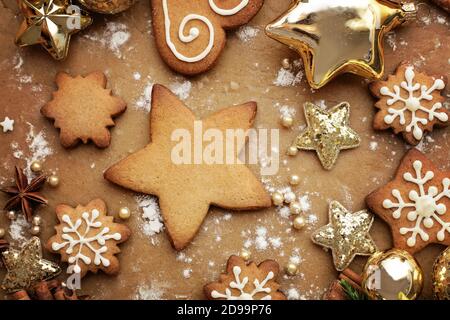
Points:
[(87, 238)]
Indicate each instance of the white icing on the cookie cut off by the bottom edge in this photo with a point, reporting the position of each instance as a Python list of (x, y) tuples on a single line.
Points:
[(240, 285)]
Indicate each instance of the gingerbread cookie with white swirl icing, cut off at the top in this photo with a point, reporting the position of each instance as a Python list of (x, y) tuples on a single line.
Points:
[(190, 34)]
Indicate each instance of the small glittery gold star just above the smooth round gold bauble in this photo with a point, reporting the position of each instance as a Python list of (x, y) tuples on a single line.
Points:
[(346, 234)]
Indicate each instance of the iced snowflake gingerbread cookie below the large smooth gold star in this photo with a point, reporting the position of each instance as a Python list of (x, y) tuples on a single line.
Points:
[(409, 102)]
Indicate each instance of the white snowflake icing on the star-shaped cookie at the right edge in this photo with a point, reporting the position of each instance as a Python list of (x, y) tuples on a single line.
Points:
[(424, 205)]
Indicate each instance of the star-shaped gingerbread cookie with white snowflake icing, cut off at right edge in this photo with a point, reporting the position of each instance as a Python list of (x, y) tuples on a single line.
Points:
[(416, 204)]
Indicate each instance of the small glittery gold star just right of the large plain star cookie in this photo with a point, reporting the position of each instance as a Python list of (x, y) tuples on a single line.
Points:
[(327, 132)]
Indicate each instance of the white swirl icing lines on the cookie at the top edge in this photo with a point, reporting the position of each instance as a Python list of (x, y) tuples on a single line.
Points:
[(195, 32)]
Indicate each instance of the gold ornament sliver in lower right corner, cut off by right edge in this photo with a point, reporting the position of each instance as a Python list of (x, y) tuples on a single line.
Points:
[(441, 276)]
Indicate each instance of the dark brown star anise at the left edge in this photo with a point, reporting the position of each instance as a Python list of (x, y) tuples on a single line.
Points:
[(24, 195)]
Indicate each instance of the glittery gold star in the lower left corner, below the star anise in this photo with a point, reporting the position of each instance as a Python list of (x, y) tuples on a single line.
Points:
[(26, 267)]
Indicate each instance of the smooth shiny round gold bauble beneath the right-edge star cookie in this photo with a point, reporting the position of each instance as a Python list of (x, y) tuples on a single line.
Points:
[(387, 273)]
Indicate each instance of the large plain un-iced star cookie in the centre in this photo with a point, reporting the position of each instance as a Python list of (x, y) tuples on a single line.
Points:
[(186, 189)]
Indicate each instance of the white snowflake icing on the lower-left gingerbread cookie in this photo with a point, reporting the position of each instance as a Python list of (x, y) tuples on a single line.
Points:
[(83, 240)]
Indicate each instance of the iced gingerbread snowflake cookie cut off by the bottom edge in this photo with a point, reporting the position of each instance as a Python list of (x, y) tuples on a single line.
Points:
[(246, 281)]
